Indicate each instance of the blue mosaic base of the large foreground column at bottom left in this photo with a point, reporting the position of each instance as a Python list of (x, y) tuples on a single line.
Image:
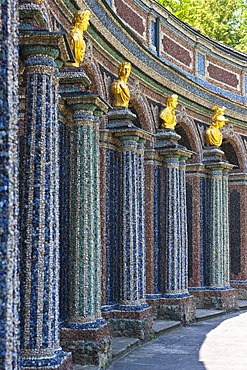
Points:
[(62, 361)]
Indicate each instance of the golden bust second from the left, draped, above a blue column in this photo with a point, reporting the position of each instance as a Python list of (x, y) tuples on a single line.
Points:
[(119, 87)]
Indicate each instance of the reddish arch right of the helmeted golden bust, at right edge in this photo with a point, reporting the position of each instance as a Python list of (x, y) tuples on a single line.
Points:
[(237, 145)]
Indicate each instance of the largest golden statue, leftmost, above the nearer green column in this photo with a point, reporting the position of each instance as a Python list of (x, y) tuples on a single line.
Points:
[(75, 36)]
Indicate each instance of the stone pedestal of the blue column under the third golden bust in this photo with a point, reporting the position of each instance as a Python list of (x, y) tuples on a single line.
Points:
[(174, 308)]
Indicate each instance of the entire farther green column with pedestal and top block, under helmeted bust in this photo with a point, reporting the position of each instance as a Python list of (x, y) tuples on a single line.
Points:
[(217, 292)]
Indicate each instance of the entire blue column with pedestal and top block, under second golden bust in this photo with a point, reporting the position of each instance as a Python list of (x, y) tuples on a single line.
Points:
[(132, 317)]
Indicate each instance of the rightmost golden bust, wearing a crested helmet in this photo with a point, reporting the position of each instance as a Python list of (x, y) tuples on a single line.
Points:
[(213, 134)]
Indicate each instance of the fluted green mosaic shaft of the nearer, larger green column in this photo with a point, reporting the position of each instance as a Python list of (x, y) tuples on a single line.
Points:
[(85, 236)]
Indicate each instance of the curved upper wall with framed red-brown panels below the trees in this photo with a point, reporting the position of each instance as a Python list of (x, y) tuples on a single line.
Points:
[(208, 63)]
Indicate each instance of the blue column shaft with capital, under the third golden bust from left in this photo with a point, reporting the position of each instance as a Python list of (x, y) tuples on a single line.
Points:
[(175, 224)]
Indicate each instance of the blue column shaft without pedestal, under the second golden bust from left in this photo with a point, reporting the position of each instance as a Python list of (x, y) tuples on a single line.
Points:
[(132, 278)]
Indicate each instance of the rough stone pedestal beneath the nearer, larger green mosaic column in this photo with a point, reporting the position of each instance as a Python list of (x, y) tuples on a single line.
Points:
[(88, 345)]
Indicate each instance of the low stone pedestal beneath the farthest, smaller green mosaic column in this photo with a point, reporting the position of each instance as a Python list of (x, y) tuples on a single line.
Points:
[(215, 298)]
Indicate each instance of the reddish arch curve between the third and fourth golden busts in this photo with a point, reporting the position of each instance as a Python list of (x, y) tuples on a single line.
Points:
[(189, 128)]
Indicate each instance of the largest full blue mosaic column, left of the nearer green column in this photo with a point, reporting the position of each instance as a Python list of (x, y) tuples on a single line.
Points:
[(40, 346)]
